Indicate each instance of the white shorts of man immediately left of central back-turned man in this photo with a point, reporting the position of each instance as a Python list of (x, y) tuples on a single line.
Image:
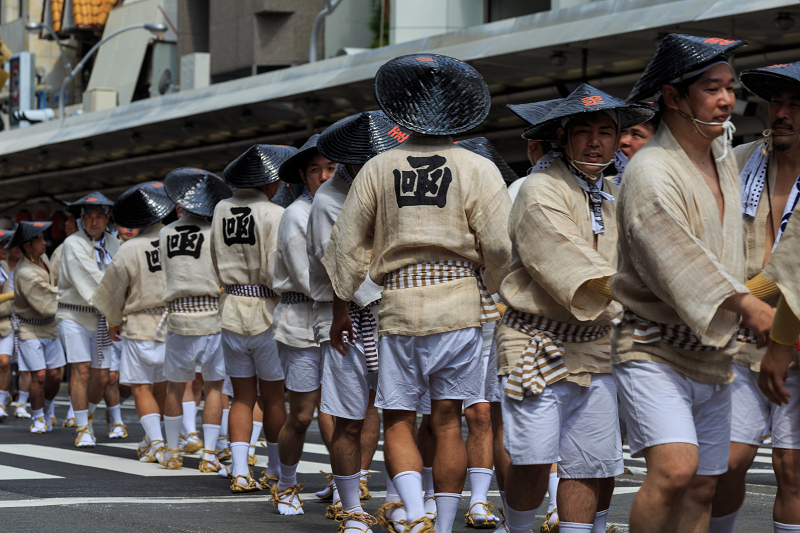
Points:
[(346, 382)]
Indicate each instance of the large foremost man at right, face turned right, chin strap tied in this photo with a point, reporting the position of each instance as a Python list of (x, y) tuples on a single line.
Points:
[(681, 282)]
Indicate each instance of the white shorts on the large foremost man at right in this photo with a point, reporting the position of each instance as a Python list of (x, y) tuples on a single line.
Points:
[(663, 406)]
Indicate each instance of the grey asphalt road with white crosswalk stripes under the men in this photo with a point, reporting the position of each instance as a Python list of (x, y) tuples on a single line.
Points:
[(46, 484)]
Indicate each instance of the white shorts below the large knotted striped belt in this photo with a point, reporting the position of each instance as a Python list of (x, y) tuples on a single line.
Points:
[(567, 424)]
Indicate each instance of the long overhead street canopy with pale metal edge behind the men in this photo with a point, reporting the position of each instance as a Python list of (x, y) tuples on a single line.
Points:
[(606, 43)]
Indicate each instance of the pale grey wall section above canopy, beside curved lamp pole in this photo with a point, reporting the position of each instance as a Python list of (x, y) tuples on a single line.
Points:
[(348, 27)]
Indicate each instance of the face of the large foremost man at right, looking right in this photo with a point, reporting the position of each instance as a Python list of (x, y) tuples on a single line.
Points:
[(711, 98)]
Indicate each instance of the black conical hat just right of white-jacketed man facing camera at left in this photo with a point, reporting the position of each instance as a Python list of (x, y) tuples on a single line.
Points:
[(142, 205)]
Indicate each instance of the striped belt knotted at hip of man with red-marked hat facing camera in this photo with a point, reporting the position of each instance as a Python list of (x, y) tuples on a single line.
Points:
[(542, 360)]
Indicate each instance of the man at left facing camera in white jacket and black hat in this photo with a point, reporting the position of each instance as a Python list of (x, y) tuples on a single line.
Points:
[(82, 328)]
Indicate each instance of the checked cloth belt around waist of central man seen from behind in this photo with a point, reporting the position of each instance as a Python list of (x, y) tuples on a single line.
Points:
[(436, 272)]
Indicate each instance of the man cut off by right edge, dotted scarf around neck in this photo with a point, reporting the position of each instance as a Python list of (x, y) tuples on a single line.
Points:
[(770, 192)]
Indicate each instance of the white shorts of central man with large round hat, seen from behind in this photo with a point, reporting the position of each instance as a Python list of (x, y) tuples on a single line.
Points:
[(449, 364)]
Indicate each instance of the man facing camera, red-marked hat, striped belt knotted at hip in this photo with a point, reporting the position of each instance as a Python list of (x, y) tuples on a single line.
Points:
[(553, 343)]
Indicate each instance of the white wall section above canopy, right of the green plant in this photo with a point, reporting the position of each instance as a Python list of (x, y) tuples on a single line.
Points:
[(416, 19)]
